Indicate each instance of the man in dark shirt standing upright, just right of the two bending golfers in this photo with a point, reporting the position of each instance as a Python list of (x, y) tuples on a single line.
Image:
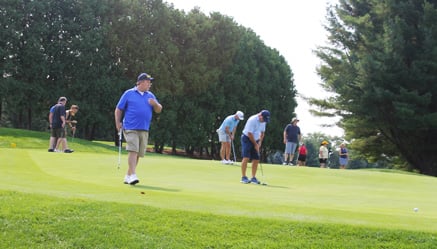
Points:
[(292, 137)]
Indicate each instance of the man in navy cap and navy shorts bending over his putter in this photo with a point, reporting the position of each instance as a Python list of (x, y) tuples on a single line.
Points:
[(251, 140)]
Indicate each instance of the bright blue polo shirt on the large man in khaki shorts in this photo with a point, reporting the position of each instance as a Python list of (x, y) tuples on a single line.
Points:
[(136, 108)]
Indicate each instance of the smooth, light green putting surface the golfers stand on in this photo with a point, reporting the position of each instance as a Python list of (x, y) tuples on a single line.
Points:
[(356, 197)]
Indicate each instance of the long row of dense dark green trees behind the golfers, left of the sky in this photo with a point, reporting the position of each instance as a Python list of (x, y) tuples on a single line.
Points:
[(205, 68)]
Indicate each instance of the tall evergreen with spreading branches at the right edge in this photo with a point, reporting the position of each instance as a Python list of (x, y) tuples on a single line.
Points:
[(382, 65)]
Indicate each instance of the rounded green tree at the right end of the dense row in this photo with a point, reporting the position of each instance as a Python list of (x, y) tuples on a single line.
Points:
[(258, 79)]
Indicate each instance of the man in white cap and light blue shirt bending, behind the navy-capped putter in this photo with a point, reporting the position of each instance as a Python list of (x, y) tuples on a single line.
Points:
[(226, 134)]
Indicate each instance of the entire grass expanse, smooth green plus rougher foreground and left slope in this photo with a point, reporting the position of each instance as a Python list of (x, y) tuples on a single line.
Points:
[(56, 200)]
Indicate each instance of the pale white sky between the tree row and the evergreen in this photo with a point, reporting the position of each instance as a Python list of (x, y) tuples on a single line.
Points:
[(295, 29)]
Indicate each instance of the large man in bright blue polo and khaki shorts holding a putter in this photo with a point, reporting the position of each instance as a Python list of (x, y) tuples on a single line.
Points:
[(137, 104)]
